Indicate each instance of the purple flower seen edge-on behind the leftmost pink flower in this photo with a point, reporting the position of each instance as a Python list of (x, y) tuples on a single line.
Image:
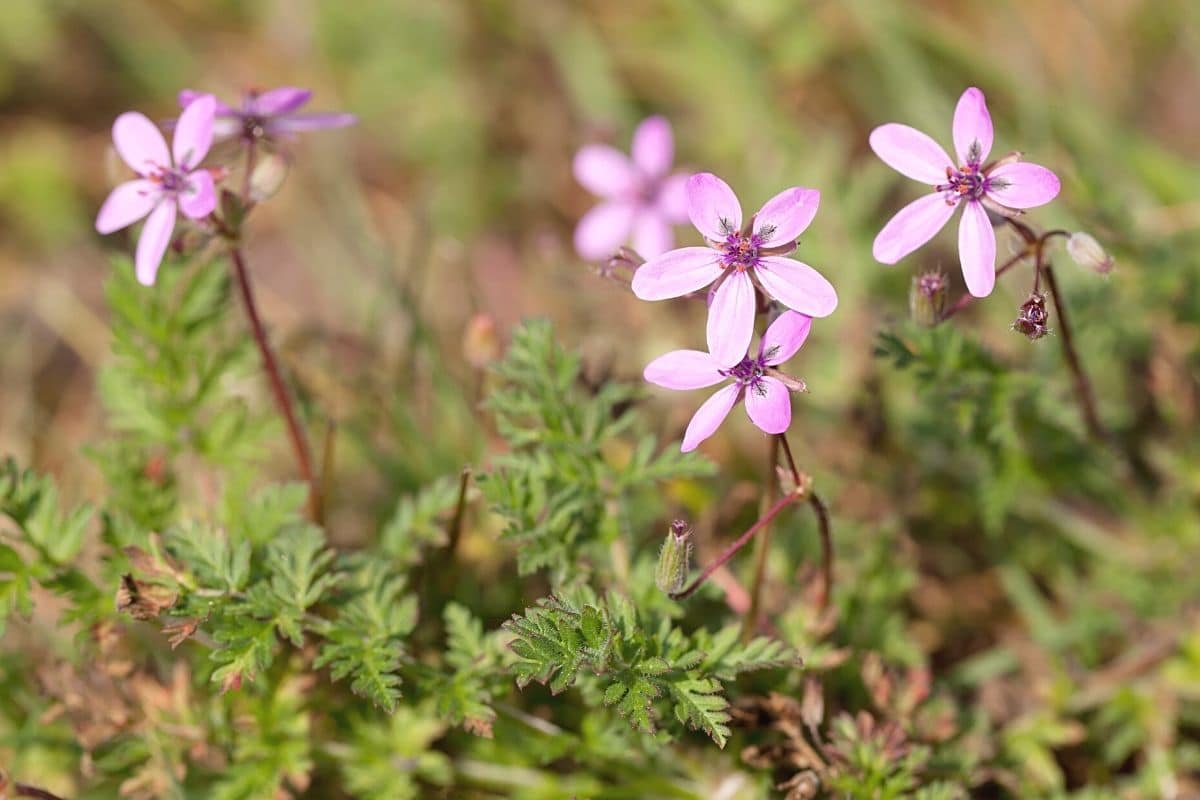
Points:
[(272, 115)]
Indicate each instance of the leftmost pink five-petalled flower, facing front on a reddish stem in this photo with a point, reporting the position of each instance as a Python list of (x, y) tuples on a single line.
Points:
[(169, 181)]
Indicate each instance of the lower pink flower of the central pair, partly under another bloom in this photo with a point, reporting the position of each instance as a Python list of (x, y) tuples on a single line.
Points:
[(755, 380)]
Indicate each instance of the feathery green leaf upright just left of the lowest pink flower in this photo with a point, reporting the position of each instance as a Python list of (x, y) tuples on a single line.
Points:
[(556, 488)]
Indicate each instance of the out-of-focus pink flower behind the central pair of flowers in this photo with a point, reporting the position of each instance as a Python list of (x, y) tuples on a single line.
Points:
[(640, 200)]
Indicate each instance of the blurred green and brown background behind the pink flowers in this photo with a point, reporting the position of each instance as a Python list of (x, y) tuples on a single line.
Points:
[(454, 195)]
